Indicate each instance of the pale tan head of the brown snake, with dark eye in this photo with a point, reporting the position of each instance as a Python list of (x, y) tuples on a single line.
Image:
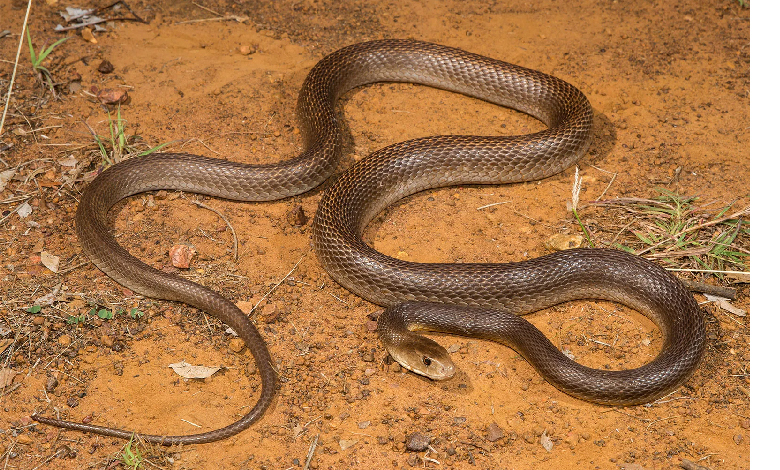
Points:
[(423, 356)]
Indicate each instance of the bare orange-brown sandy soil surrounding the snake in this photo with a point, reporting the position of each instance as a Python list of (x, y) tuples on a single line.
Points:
[(669, 83)]
